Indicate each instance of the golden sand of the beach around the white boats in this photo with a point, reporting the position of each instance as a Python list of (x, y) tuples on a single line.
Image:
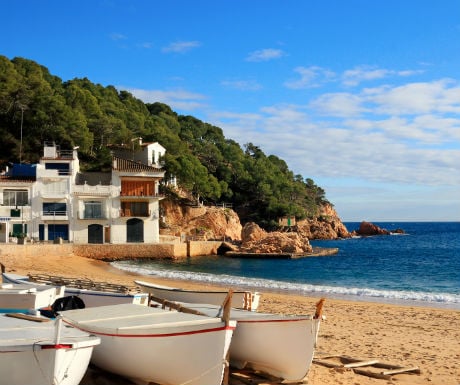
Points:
[(410, 336)]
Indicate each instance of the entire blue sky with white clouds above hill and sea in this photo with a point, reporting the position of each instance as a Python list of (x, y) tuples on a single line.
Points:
[(362, 96)]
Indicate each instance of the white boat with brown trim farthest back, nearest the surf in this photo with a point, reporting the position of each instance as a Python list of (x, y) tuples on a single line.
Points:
[(246, 300)]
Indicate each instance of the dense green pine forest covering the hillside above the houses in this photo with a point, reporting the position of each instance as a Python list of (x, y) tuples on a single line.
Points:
[(36, 106)]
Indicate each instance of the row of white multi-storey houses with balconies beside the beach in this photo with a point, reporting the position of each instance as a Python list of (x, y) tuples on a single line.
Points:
[(60, 202)]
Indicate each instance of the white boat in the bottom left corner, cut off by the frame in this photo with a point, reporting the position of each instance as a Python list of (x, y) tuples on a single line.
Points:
[(42, 353)]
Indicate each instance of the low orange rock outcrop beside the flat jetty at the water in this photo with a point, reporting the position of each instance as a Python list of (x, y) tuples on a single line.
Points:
[(256, 240)]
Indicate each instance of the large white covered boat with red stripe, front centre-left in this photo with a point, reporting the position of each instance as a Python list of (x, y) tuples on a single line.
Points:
[(146, 344)]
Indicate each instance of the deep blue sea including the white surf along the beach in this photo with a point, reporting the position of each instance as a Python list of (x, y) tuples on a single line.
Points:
[(421, 266)]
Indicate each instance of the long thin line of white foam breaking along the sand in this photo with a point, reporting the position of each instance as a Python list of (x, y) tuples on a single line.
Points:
[(272, 285)]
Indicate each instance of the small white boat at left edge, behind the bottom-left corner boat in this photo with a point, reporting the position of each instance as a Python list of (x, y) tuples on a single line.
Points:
[(23, 297)]
